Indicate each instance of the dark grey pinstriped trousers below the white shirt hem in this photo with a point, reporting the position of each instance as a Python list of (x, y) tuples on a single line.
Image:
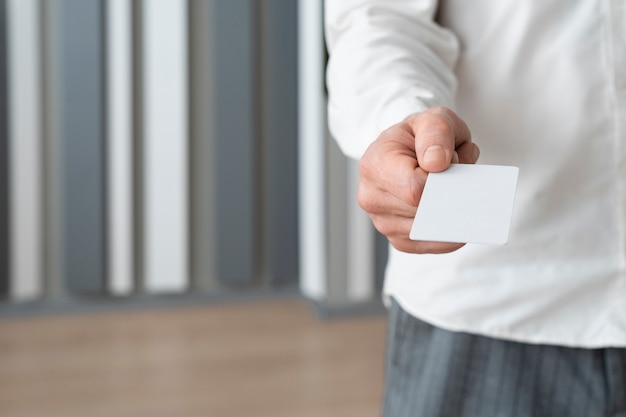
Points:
[(432, 372)]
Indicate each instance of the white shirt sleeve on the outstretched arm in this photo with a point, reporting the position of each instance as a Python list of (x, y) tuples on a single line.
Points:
[(387, 59)]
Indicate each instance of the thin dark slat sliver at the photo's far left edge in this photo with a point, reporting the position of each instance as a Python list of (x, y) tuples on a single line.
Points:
[(4, 157)]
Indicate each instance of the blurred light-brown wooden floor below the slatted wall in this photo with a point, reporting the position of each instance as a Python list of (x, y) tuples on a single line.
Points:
[(270, 359)]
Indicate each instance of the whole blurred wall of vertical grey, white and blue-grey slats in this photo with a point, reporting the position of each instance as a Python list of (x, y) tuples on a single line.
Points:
[(173, 147)]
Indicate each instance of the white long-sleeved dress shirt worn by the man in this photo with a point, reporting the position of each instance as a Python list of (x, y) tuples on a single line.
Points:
[(542, 86)]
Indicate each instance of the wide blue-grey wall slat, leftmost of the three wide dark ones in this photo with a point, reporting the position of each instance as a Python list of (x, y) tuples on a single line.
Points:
[(83, 144)]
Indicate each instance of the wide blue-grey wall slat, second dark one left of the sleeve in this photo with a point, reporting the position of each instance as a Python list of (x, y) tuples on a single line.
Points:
[(235, 135)]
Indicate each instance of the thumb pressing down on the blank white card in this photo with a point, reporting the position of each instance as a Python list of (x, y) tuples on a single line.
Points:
[(438, 132)]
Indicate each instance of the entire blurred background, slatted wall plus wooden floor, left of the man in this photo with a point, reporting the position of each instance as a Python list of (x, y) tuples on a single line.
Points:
[(178, 232)]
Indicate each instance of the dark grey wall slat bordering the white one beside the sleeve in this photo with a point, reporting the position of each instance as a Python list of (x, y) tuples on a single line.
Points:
[(280, 115)]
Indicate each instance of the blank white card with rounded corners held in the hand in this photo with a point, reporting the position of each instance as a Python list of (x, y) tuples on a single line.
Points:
[(467, 204)]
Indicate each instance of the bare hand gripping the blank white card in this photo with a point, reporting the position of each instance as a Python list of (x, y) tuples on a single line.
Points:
[(394, 168)]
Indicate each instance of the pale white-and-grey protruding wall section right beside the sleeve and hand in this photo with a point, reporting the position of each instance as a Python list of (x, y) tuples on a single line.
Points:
[(342, 257)]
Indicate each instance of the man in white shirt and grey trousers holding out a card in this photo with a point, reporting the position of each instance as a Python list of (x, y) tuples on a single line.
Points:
[(536, 327)]
